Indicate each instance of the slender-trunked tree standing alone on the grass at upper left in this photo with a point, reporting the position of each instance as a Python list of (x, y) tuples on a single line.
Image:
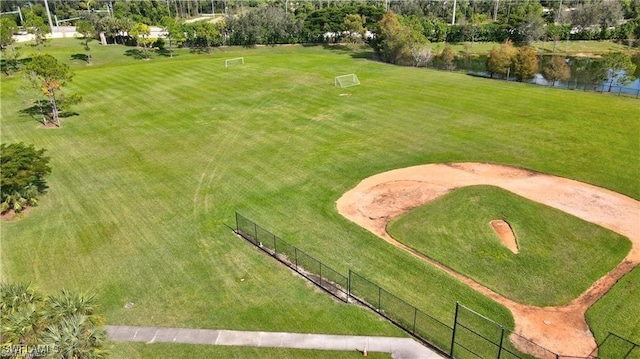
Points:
[(50, 75)]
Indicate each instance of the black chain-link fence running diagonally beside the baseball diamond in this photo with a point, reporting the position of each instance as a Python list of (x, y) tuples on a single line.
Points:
[(472, 335)]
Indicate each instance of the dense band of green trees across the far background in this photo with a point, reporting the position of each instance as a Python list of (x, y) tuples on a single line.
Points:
[(287, 21)]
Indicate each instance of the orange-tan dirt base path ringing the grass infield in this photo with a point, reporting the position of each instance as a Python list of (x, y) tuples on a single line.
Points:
[(563, 330)]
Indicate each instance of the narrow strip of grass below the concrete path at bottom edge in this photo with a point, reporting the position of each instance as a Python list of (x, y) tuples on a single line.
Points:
[(189, 351)]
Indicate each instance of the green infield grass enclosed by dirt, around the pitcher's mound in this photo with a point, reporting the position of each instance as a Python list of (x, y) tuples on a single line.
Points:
[(560, 256)]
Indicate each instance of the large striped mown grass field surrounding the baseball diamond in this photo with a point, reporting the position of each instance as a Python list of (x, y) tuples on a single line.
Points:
[(147, 176)]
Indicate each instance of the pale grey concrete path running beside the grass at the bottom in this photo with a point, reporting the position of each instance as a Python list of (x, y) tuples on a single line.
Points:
[(399, 348)]
